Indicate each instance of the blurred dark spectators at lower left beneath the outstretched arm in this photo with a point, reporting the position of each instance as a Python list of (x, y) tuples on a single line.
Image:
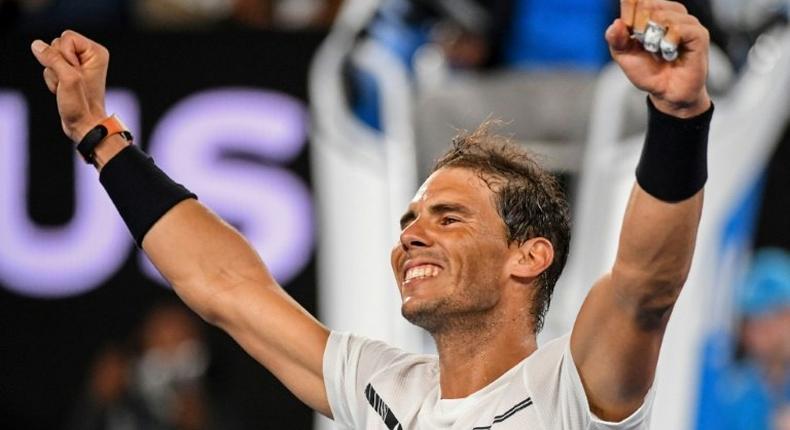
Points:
[(156, 380)]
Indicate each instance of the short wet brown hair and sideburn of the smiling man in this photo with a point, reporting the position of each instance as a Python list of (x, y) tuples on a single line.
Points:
[(528, 198)]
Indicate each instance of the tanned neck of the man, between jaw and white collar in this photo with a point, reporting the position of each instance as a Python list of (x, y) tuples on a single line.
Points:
[(479, 352)]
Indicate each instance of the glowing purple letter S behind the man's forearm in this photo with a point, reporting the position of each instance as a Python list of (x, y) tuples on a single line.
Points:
[(227, 146)]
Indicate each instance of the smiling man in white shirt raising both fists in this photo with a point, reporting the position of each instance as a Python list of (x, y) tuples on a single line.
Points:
[(475, 263)]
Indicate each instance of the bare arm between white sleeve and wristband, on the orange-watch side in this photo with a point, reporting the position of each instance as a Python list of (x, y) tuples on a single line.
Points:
[(218, 274)]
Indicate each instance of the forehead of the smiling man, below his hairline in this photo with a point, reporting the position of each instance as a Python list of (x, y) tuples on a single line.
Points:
[(454, 184)]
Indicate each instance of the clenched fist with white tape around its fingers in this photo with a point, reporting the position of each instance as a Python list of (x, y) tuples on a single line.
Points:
[(678, 87)]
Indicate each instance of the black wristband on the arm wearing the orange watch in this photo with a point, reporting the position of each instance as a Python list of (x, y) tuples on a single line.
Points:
[(141, 192)]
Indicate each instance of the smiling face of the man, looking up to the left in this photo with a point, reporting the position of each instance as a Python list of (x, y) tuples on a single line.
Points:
[(451, 258)]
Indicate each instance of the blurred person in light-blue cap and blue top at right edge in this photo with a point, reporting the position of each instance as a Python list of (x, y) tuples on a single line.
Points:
[(751, 391)]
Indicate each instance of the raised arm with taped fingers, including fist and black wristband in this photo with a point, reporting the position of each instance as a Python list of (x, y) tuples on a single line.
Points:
[(617, 336)]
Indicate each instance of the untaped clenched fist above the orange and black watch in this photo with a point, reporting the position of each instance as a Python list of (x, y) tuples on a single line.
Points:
[(75, 70)]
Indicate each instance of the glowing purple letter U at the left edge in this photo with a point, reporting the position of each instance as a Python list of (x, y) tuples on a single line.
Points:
[(65, 260)]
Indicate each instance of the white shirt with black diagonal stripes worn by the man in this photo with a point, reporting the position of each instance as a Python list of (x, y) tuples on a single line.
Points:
[(373, 386)]
